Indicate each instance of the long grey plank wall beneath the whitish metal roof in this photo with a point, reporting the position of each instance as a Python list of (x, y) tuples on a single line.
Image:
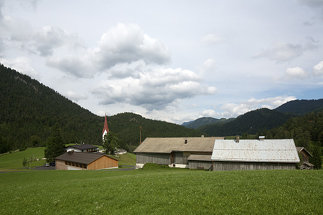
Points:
[(220, 165)]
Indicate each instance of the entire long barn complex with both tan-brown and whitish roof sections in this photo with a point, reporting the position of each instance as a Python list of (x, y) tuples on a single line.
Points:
[(218, 154)]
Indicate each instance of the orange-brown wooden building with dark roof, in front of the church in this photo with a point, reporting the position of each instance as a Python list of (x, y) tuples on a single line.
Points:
[(85, 161)]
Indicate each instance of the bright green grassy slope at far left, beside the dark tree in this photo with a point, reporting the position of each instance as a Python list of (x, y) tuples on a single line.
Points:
[(14, 160)]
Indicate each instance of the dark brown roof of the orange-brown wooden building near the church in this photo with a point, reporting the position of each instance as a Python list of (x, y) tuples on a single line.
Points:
[(81, 157)]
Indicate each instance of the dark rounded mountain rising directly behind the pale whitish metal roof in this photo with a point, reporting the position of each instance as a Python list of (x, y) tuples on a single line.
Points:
[(251, 123)]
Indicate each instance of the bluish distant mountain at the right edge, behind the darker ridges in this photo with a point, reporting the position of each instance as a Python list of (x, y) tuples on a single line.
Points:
[(301, 107)]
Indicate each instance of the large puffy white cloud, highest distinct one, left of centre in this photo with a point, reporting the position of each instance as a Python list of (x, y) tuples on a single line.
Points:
[(126, 43)]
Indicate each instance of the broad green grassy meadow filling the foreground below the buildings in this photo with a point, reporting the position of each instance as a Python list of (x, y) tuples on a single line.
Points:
[(169, 191)]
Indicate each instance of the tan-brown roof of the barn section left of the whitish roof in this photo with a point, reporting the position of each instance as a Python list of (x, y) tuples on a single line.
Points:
[(167, 145)]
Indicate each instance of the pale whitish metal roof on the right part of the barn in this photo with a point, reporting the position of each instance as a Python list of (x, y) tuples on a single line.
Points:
[(268, 150)]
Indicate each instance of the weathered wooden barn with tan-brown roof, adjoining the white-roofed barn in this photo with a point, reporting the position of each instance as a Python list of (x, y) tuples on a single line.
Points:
[(173, 151)]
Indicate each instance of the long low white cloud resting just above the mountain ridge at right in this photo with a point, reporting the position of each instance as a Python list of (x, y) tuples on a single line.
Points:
[(233, 109)]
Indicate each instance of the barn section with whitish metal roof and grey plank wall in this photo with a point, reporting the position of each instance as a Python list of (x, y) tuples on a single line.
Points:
[(254, 154)]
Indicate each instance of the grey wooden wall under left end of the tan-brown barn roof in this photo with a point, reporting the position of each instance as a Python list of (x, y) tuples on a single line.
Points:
[(157, 158)]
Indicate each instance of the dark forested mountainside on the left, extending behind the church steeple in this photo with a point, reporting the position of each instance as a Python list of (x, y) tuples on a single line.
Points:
[(29, 109)]
